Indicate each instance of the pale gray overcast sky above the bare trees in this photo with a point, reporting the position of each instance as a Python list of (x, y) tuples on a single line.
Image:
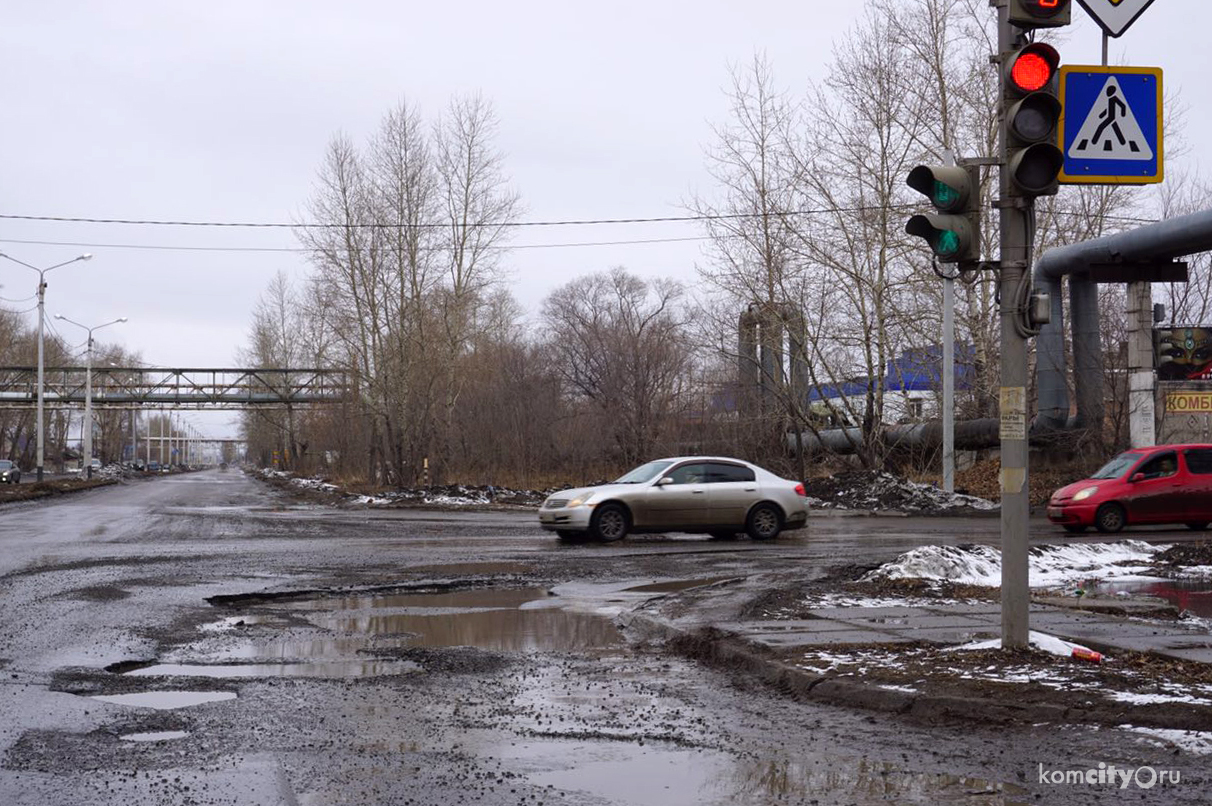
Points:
[(222, 111)]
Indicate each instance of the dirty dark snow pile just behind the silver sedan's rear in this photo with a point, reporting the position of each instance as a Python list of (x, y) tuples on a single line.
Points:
[(872, 490)]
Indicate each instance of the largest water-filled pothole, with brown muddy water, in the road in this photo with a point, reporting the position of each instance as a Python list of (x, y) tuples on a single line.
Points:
[(387, 634)]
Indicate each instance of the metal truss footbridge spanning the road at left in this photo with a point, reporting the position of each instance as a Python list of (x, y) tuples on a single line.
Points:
[(116, 387)]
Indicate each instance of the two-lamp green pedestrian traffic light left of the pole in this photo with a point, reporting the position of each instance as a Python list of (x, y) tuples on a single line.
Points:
[(954, 233)]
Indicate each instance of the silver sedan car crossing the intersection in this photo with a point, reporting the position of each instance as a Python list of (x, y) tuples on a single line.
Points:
[(712, 495)]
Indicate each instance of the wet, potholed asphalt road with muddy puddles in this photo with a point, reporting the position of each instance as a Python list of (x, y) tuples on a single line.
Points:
[(416, 658)]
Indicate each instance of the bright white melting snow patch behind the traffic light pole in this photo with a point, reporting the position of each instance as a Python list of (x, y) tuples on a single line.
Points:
[(1050, 565)]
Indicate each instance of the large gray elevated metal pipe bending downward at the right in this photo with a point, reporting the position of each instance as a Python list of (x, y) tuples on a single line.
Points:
[(1164, 241)]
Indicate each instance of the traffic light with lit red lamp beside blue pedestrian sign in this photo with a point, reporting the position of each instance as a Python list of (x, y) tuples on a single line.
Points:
[(1033, 113)]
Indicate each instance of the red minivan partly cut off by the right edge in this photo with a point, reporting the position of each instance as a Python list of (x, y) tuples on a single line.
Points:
[(1168, 484)]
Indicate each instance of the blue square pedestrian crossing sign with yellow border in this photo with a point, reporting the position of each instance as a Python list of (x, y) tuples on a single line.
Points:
[(1111, 125)]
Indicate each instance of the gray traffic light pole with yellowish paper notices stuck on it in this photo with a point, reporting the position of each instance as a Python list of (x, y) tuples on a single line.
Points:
[(1015, 270)]
